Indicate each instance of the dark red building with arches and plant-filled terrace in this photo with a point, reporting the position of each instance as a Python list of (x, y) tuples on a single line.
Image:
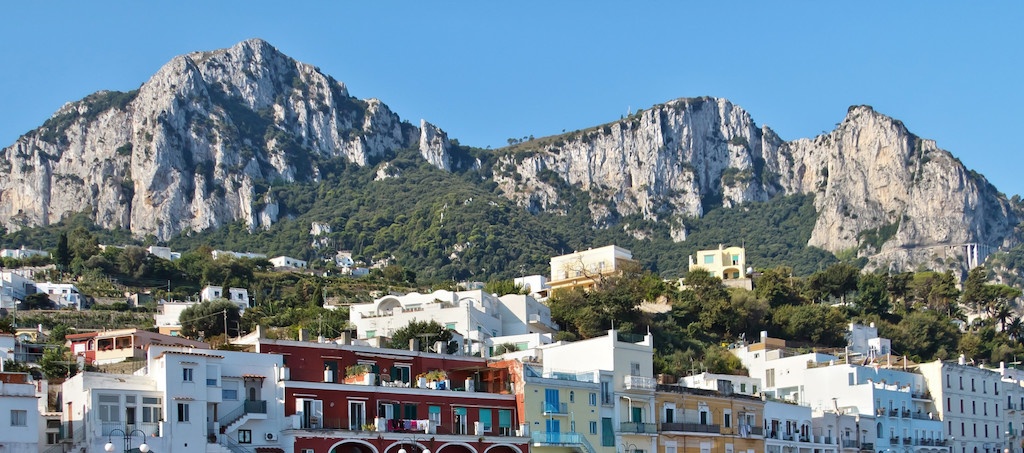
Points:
[(352, 399)]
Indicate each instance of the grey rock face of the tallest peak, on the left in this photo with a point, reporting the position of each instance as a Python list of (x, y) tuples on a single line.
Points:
[(196, 146)]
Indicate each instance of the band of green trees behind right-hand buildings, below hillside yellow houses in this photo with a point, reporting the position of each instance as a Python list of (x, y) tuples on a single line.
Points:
[(924, 314)]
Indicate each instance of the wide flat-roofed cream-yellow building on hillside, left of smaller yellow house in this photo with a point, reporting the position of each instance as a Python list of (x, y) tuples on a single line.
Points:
[(585, 269)]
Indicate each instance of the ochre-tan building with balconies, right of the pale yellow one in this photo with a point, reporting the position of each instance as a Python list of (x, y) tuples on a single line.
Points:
[(696, 421)]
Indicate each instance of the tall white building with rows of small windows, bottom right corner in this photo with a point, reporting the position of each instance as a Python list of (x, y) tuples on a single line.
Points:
[(973, 404)]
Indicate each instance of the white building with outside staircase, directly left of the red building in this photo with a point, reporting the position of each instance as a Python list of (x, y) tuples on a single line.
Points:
[(181, 401)]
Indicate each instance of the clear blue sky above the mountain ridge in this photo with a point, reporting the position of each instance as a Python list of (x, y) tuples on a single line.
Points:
[(489, 71)]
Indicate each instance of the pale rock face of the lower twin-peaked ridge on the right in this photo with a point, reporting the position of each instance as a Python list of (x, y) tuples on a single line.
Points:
[(880, 191)]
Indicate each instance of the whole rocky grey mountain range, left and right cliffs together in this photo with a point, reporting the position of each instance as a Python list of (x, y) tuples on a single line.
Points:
[(199, 144)]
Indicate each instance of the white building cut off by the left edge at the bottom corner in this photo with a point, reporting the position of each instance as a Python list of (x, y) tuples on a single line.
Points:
[(19, 415)]
